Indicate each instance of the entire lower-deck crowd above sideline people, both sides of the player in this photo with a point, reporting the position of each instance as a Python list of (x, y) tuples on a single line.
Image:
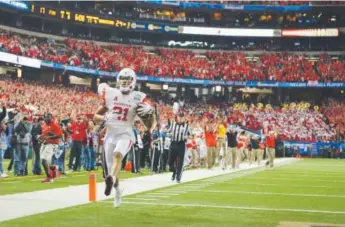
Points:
[(35, 99)]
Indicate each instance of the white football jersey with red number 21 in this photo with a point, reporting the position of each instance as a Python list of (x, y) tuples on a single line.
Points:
[(121, 110)]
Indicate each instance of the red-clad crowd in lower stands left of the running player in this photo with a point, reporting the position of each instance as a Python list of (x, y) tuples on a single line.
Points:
[(34, 98)]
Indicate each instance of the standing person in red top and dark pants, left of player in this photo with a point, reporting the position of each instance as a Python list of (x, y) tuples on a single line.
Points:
[(79, 127)]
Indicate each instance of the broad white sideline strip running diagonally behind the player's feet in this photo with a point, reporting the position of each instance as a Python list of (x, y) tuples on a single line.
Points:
[(31, 203)]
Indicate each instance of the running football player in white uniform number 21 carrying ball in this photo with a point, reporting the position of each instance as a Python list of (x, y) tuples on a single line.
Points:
[(119, 108)]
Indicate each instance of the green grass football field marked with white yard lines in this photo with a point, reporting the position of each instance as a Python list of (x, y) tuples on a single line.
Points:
[(308, 191)]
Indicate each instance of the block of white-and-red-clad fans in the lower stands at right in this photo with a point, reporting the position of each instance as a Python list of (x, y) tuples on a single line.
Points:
[(296, 122)]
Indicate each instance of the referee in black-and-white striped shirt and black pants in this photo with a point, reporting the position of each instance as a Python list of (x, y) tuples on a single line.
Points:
[(179, 133)]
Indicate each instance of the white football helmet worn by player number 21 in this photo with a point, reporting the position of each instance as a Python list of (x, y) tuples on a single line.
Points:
[(126, 80)]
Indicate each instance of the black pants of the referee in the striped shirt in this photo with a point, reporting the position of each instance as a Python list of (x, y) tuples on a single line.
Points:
[(176, 157)]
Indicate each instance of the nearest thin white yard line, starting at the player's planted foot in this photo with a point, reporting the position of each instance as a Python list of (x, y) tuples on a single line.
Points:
[(235, 207)]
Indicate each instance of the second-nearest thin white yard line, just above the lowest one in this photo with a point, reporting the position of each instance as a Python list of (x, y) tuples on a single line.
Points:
[(269, 193)]
